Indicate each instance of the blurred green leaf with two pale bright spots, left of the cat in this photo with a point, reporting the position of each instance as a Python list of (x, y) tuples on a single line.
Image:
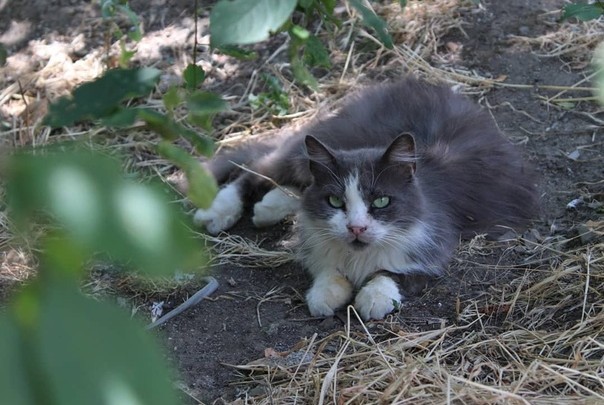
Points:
[(100, 211)]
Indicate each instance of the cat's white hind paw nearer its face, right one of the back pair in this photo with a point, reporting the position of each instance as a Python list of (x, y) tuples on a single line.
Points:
[(274, 207)]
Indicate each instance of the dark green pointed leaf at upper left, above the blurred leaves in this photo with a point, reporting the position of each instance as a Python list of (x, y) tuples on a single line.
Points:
[(101, 97)]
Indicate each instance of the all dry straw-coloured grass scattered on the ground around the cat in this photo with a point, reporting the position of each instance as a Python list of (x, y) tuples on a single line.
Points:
[(536, 340)]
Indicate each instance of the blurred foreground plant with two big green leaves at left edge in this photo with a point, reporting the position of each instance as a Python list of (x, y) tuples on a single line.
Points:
[(57, 346)]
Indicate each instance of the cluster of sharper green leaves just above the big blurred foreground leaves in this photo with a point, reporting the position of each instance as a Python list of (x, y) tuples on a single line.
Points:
[(103, 99)]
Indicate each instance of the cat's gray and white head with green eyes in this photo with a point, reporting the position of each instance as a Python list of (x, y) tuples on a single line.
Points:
[(362, 197)]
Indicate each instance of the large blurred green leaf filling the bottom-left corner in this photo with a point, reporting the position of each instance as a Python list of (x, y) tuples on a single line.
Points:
[(79, 351)]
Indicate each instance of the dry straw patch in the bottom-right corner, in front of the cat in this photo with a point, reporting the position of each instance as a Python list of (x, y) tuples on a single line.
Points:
[(538, 342)]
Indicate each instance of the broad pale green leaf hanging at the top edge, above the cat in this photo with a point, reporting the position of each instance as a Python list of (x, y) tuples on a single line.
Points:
[(240, 22)]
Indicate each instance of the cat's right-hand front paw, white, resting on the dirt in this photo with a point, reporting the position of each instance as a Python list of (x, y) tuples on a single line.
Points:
[(377, 298)]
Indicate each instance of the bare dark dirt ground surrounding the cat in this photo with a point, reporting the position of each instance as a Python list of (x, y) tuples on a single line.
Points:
[(259, 310)]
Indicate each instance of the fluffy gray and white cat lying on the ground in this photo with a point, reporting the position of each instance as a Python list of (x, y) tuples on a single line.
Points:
[(388, 185)]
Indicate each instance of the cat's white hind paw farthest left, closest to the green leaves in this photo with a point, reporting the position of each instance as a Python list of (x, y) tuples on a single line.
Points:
[(225, 211)]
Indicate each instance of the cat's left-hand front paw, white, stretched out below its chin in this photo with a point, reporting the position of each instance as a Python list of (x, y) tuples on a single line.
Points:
[(327, 294)]
